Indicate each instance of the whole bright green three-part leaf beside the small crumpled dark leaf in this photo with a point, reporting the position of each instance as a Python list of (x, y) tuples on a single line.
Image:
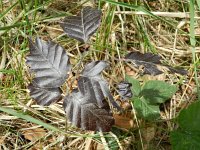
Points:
[(147, 98)]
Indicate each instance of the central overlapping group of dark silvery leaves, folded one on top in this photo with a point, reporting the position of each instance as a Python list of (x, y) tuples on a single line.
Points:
[(87, 107)]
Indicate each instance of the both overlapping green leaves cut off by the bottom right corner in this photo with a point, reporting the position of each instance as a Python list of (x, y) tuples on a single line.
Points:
[(187, 136)]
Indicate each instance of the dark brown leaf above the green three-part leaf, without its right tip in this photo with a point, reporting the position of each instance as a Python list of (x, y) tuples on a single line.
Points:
[(147, 60)]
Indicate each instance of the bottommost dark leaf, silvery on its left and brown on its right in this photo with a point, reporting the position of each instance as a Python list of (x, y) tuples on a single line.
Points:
[(83, 112)]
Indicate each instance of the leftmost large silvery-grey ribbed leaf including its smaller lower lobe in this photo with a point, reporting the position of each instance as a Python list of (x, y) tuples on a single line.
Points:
[(49, 63)]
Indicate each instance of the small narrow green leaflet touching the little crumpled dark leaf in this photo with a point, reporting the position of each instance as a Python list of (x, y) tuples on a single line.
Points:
[(136, 88)]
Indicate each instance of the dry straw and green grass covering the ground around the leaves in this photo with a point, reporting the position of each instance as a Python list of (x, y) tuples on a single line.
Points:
[(126, 26)]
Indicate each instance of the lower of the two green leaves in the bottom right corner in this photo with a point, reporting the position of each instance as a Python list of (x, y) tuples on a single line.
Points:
[(181, 140)]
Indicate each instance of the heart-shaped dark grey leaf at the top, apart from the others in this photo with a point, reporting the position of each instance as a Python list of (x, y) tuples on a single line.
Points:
[(82, 26)]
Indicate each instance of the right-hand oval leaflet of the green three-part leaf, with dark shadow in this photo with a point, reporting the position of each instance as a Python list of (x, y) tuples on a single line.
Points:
[(156, 92)]
